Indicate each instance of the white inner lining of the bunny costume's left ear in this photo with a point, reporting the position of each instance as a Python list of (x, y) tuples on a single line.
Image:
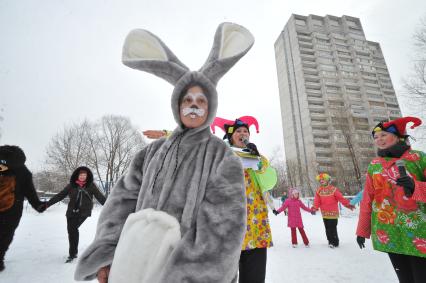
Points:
[(141, 45)]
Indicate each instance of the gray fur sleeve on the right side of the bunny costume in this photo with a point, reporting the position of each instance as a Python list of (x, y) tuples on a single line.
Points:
[(210, 250)]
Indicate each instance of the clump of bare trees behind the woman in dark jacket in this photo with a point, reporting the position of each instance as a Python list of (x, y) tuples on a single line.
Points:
[(106, 146)]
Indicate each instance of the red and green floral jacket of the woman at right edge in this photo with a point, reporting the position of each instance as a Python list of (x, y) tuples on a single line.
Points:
[(398, 223)]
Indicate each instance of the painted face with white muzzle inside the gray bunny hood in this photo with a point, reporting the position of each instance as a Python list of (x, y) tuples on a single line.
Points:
[(194, 108)]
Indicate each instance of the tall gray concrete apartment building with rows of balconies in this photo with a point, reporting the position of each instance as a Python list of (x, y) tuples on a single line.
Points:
[(334, 87)]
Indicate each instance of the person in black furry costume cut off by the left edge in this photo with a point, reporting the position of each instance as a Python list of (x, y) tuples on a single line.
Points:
[(16, 183)]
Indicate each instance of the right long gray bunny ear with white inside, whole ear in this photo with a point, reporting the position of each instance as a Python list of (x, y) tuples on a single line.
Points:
[(231, 42)]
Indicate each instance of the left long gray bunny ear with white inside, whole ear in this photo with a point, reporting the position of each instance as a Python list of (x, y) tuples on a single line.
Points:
[(144, 51)]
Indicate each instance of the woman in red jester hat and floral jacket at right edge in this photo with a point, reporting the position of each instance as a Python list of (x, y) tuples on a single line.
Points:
[(393, 209)]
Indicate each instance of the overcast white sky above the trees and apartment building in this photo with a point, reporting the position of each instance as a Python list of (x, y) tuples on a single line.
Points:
[(60, 60)]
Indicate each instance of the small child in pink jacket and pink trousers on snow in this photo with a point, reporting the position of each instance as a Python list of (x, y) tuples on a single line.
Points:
[(294, 204)]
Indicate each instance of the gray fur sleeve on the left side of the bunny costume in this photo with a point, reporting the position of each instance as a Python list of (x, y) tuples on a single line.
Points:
[(111, 220)]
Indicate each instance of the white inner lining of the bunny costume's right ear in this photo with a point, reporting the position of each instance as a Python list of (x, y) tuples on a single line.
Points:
[(235, 39)]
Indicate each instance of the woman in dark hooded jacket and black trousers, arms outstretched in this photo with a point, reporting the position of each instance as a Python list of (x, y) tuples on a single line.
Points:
[(80, 191)]
